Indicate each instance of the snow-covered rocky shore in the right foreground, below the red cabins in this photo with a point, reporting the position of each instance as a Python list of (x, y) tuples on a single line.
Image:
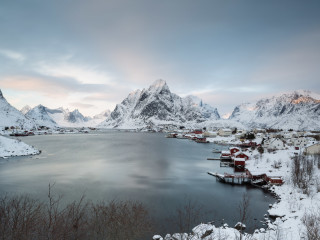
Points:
[(290, 210)]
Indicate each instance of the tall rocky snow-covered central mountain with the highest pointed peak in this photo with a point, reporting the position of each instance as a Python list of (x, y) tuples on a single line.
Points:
[(157, 105)]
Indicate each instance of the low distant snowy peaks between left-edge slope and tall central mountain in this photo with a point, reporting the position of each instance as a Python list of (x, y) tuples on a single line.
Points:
[(59, 117)]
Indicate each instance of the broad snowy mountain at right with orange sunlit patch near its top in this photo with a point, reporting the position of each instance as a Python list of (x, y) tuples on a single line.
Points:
[(296, 110)]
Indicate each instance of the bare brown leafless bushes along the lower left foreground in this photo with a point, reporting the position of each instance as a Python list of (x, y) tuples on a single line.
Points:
[(26, 218)]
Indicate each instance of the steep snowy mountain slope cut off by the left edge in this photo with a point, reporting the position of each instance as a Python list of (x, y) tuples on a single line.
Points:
[(10, 116)]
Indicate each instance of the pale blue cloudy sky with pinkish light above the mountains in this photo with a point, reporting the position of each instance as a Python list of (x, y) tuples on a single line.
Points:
[(89, 55)]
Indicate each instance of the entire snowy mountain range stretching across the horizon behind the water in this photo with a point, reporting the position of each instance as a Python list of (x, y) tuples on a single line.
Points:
[(157, 105)]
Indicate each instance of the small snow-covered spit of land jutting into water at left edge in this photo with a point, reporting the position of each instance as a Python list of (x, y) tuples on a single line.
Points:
[(13, 147)]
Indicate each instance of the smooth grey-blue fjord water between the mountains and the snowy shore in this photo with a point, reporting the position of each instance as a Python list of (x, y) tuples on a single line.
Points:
[(160, 172)]
